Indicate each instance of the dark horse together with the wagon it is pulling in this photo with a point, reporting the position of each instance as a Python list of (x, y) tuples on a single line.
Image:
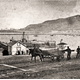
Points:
[(48, 53)]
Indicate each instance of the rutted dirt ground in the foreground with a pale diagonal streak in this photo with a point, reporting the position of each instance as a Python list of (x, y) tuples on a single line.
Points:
[(21, 67)]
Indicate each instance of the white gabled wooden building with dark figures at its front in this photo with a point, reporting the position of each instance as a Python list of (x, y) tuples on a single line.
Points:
[(17, 48)]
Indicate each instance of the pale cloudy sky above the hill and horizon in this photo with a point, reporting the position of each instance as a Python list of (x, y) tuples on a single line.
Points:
[(21, 13)]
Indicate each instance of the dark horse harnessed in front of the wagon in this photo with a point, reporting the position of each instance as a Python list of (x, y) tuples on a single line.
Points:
[(35, 54)]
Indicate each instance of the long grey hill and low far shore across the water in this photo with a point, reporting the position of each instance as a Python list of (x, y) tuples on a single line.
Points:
[(69, 25)]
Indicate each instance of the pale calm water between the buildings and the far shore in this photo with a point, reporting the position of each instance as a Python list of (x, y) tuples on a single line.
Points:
[(72, 40)]
